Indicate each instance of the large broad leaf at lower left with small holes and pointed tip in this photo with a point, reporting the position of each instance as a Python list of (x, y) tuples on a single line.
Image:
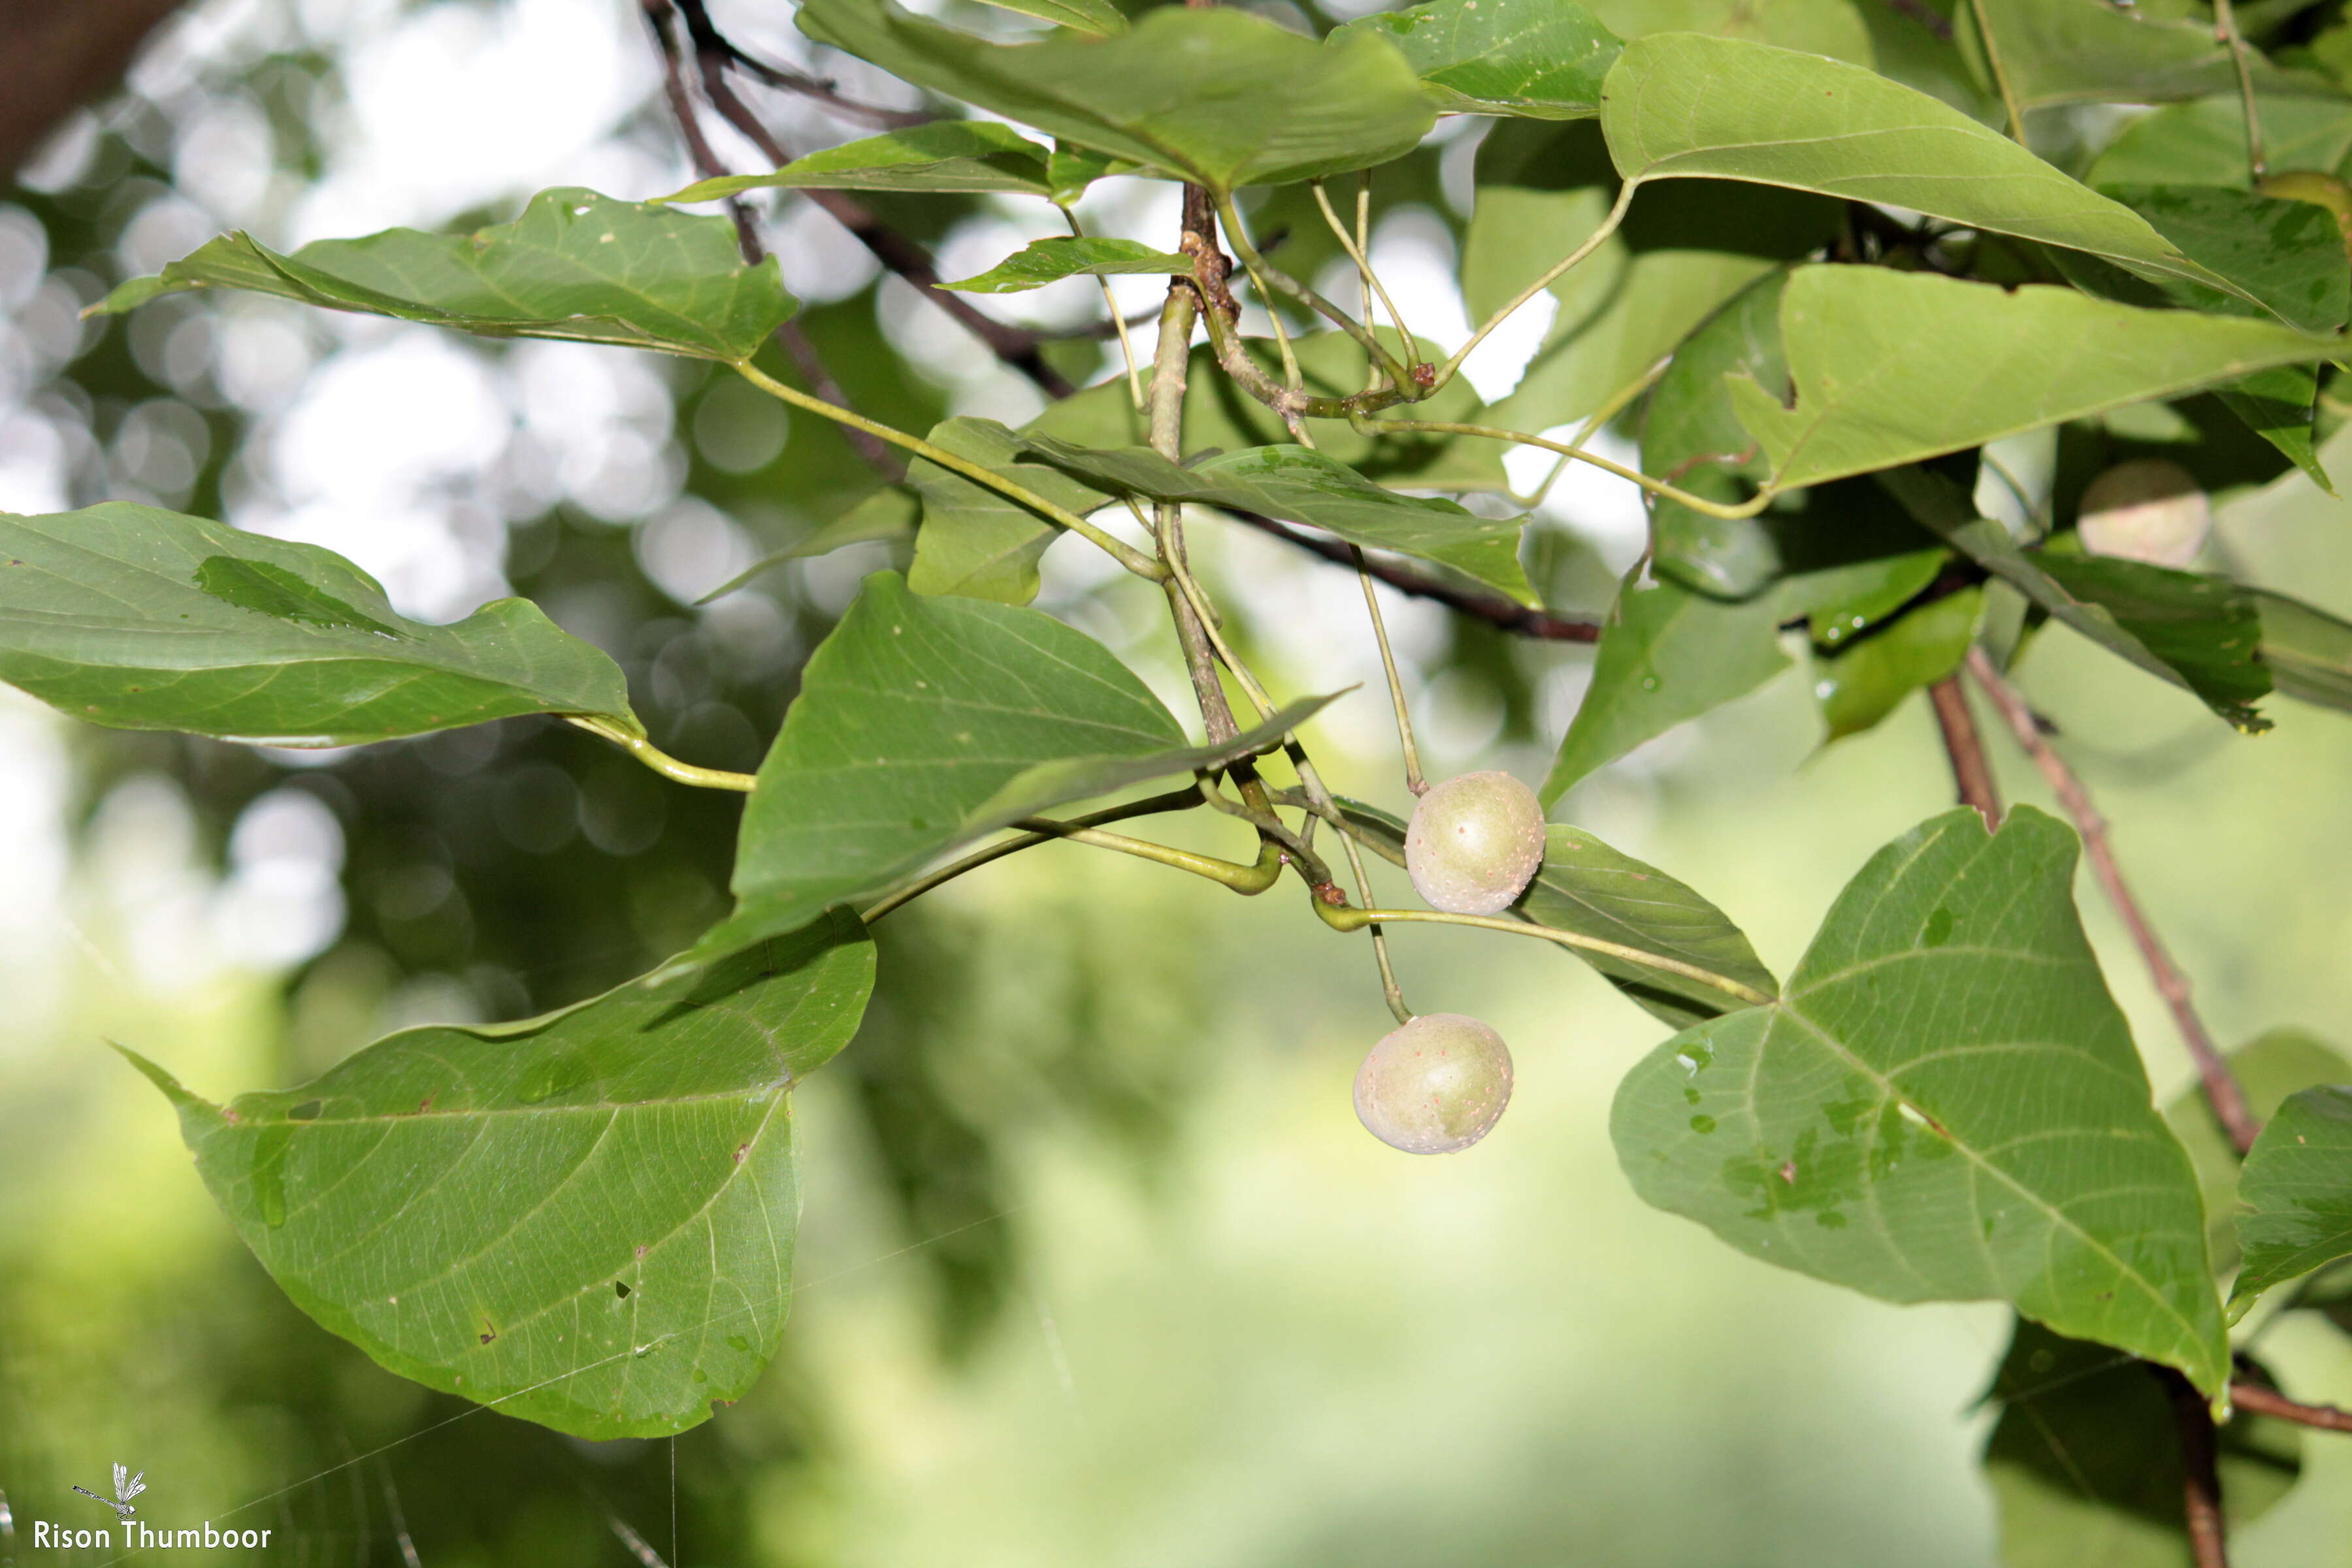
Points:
[(584, 1219)]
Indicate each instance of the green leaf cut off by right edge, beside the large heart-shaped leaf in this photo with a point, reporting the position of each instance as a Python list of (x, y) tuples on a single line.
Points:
[(2297, 1193)]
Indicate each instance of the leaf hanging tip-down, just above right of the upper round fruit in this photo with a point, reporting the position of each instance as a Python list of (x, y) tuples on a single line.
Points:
[(1666, 657)]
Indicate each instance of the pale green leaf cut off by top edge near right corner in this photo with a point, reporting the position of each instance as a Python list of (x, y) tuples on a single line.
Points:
[(2092, 53)]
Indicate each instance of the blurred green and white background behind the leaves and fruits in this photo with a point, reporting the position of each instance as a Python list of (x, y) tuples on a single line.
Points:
[(1097, 1266)]
